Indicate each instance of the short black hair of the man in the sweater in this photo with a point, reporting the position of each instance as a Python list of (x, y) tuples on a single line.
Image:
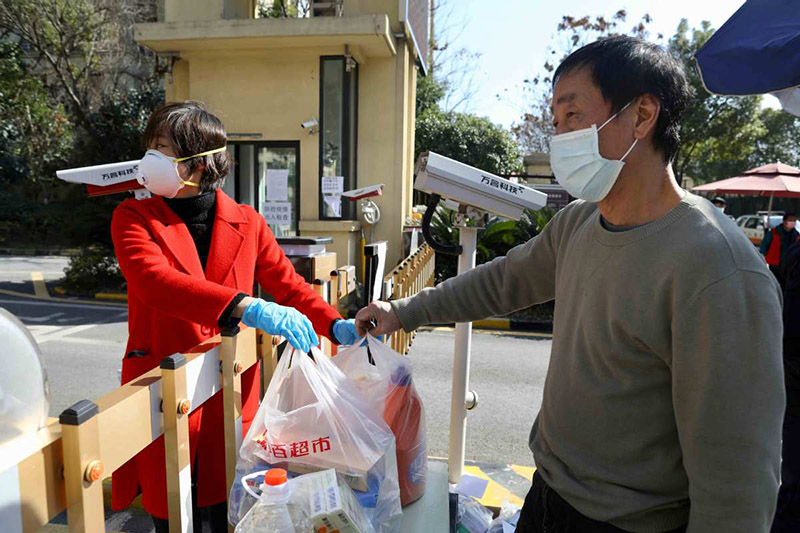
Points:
[(625, 68)]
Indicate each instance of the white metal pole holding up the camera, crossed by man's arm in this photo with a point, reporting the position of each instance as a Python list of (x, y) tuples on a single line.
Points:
[(458, 401)]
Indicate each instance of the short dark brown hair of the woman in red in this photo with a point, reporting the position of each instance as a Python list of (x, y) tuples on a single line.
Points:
[(192, 129)]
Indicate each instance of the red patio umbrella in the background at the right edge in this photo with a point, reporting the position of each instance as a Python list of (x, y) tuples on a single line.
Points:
[(773, 180)]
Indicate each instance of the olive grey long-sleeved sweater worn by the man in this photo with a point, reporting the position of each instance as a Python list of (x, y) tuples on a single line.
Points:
[(664, 398)]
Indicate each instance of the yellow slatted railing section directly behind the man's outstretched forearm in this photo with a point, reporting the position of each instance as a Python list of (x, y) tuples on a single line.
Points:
[(409, 277)]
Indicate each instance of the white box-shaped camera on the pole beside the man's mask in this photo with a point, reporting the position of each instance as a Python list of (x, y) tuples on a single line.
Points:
[(473, 187)]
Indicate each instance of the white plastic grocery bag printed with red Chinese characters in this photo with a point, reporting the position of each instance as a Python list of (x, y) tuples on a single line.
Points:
[(313, 418)]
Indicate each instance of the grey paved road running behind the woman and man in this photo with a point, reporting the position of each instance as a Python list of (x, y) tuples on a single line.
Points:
[(82, 346)]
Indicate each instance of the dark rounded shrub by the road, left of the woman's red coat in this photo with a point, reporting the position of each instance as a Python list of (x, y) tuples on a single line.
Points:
[(93, 270)]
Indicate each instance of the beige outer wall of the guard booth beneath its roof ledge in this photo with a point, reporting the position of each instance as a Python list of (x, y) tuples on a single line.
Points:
[(273, 91)]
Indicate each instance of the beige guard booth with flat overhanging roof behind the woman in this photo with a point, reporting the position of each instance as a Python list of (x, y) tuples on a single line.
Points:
[(313, 106)]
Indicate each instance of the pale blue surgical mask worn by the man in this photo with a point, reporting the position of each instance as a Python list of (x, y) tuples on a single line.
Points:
[(578, 166)]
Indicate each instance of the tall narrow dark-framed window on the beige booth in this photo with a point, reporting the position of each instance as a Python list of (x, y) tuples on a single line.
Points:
[(338, 136)]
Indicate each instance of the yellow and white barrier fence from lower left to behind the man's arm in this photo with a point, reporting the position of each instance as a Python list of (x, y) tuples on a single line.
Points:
[(63, 464)]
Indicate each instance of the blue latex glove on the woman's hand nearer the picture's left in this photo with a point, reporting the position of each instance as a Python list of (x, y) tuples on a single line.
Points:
[(279, 320)]
